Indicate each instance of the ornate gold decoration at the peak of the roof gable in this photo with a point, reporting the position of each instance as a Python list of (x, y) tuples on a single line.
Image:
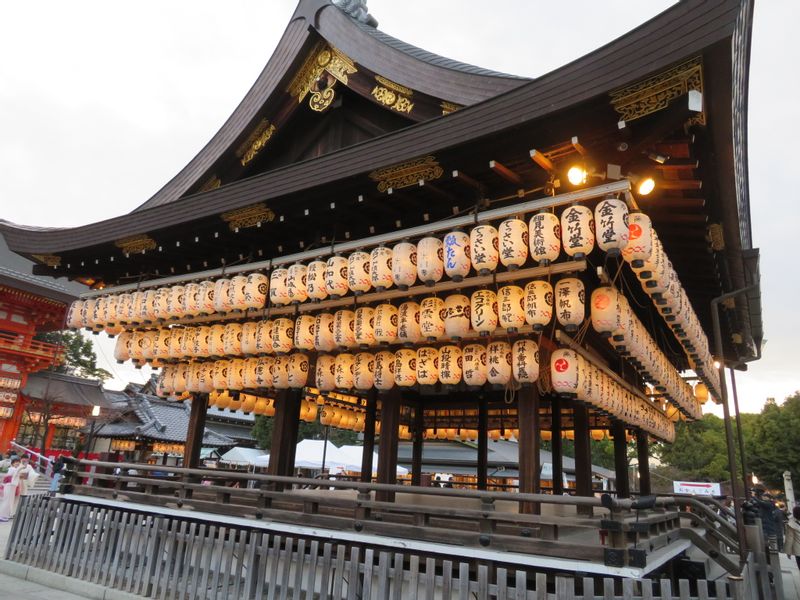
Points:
[(324, 66)]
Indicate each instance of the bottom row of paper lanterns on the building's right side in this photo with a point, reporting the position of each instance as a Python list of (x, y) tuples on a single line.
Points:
[(574, 376)]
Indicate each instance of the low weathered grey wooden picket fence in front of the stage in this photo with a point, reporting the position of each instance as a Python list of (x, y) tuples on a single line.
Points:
[(168, 557)]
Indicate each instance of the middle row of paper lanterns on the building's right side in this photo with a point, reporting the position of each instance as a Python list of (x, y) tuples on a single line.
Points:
[(613, 318)]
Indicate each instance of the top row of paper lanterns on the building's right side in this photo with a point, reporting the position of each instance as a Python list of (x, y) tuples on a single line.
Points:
[(658, 278)]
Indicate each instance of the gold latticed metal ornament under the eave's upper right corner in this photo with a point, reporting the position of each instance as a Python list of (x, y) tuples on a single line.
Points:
[(655, 93)]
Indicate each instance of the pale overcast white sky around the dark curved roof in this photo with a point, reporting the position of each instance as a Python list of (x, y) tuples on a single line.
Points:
[(101, 103)]
